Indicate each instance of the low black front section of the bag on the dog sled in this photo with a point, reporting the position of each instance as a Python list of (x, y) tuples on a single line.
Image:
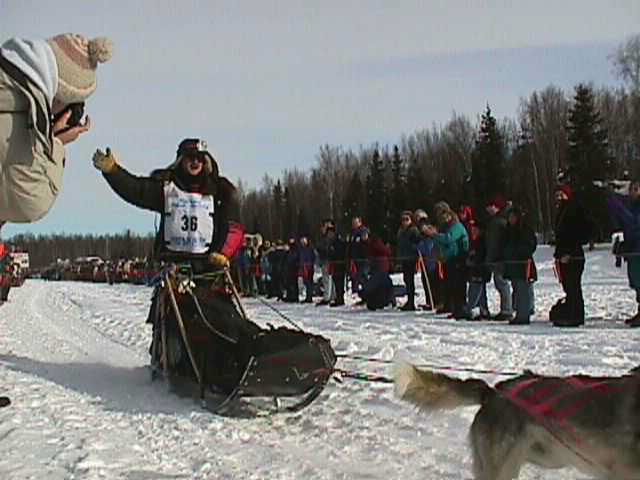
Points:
[(287, 362)]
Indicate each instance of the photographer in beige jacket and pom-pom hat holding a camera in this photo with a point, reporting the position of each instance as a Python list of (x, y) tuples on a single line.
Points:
[(43, 86)]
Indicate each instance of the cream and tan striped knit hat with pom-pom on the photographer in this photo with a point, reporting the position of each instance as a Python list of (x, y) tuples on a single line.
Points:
[(77, 58)]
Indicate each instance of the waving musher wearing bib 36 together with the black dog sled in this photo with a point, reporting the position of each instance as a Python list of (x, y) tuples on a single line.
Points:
[(206, 336)]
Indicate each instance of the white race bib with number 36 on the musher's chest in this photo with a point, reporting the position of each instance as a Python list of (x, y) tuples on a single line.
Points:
[(188, 221)]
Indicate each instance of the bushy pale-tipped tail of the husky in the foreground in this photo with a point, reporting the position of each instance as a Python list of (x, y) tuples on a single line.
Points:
[(437, 391)]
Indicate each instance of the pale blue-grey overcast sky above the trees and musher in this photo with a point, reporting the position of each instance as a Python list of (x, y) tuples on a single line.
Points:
[(266, 83)]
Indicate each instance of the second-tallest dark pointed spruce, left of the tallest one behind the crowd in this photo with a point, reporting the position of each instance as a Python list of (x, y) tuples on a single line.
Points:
[(488, 160)]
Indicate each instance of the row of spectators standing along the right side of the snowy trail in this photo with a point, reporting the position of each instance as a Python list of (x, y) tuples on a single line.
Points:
[(457, 254)]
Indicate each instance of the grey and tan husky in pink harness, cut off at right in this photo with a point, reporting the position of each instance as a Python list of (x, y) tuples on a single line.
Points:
[(590, 423)]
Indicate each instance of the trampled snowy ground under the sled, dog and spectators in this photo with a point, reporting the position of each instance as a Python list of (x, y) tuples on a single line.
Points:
[(73, 356)]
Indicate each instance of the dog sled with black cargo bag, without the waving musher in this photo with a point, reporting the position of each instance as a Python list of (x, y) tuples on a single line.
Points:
[(202, 335)]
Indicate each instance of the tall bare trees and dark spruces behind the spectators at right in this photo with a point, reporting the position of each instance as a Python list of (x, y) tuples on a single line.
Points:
[(585, 137)]
